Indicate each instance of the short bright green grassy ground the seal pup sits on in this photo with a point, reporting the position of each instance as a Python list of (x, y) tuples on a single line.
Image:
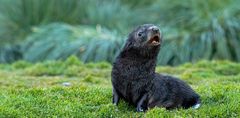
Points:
[(73, 89)]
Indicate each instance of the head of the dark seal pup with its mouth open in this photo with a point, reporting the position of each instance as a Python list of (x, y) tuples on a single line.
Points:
[(145, 40)]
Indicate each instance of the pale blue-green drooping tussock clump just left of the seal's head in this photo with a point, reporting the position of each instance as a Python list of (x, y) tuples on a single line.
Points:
[(59, 41)]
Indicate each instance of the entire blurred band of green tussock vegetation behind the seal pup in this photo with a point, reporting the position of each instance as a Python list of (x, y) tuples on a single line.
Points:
[(37, 30)]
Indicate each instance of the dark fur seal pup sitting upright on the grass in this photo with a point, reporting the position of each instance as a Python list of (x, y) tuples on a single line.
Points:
[(134, 78)]
